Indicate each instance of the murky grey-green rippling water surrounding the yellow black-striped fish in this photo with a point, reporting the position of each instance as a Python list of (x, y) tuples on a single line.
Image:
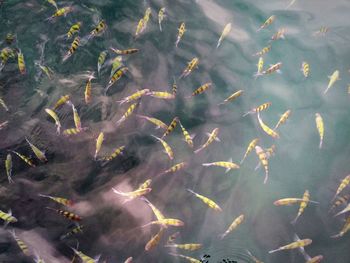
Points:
[(112, 229)]
